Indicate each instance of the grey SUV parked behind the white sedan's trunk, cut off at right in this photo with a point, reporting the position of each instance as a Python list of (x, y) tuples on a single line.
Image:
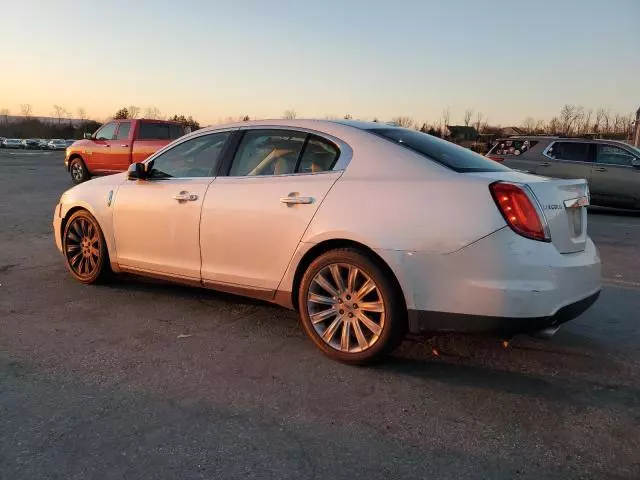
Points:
[(611, 168)]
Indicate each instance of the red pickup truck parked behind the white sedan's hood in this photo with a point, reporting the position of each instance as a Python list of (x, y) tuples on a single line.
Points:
[(118, 144)]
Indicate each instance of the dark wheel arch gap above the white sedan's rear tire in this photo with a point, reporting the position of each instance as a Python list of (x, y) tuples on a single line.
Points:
[(333, 244)]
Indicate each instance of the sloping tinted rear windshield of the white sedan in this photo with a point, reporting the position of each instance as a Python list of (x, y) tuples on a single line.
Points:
[(446, 153)]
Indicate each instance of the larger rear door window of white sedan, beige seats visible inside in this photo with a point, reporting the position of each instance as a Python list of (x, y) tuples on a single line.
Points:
[(268, 152)]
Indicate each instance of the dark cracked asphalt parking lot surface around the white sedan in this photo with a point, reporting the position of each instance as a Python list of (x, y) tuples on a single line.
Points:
[(140, 379)]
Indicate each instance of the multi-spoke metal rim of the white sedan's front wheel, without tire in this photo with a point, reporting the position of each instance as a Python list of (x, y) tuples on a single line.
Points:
[(82, 247)]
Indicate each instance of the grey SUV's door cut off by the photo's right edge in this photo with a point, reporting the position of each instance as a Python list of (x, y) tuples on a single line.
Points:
[(615, 180)]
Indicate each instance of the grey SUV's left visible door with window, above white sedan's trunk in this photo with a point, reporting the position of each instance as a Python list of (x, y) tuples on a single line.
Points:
[(563, 159)]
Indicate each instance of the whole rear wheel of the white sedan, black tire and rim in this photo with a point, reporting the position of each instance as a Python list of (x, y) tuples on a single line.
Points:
[(321, 299)]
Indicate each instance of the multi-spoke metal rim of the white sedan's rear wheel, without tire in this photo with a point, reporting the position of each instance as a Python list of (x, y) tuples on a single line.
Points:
[(346, 308)]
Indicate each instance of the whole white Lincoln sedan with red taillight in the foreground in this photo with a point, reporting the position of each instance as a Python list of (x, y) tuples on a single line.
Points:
[(368, 230)]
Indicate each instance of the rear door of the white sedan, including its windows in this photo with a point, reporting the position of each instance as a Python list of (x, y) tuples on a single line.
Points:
[(254, 217)]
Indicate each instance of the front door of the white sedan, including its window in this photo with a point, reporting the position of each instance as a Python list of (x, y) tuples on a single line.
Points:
[(157, 221)]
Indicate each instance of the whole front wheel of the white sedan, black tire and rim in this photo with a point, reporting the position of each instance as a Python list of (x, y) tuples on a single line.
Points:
[(84, 248)]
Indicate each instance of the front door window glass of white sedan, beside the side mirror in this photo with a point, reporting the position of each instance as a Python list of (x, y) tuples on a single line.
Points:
[(198, 157)]
